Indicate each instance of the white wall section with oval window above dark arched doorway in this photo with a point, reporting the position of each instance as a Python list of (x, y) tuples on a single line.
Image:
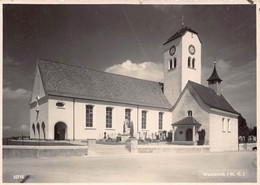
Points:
[(60, 114)]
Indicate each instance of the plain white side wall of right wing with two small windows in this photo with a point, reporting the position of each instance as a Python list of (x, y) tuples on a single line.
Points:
[(221, 138)]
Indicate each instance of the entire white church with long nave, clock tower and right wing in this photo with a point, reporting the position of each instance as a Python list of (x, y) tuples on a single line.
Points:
[(71, 102)]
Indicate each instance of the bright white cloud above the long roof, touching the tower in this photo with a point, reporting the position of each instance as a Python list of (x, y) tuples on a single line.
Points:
[(146, 70)]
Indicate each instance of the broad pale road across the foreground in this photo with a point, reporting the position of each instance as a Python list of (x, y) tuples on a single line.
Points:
[(170, 167)]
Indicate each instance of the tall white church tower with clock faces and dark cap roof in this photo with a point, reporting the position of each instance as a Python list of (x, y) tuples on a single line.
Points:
[(182, 62)]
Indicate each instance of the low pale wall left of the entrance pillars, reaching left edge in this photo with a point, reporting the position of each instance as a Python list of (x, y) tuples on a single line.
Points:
[(43, 151)]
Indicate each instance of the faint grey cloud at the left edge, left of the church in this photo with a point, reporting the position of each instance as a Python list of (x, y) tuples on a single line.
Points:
[(15, 94)]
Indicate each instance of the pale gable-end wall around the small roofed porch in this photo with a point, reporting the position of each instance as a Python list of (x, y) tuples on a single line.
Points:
[(187, 102)]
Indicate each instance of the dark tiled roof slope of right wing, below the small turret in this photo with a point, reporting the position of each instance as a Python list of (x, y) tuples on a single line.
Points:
[(210, 98)]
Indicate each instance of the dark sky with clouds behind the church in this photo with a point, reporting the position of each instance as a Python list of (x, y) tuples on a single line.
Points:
[(127, 40)]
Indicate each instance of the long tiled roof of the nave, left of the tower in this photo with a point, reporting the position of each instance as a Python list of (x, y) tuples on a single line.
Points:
[(72, 81)]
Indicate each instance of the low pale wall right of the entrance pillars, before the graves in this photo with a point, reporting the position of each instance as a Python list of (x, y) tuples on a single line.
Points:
[(168, 149)]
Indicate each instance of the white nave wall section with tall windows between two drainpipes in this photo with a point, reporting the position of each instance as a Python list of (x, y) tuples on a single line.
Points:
[(99, 119)]
